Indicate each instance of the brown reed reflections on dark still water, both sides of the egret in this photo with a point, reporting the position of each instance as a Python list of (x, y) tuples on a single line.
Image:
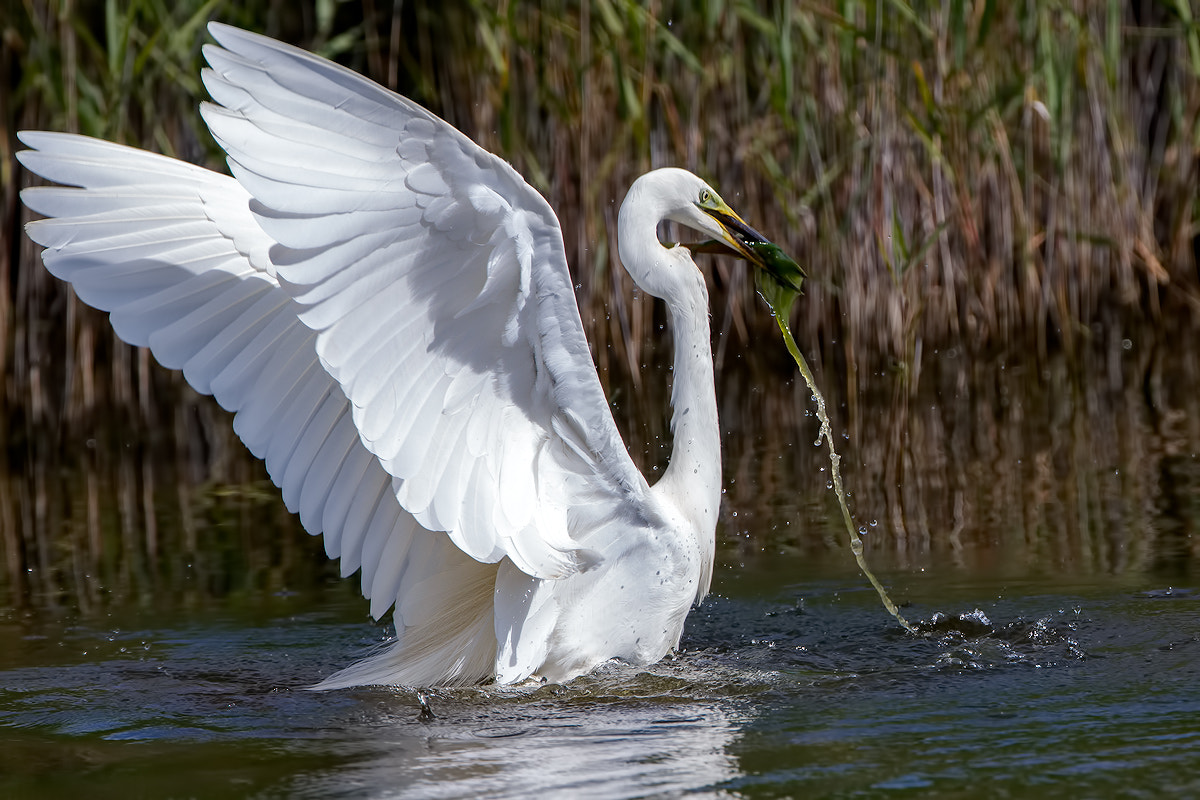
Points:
[(1007, 465)]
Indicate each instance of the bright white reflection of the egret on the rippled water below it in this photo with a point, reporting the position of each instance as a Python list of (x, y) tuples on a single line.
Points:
[(611, 737)]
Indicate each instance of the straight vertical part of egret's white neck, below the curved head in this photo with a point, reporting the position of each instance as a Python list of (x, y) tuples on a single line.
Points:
[(694, 474)]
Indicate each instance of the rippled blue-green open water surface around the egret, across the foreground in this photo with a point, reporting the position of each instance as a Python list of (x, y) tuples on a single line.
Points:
[(791, 684)]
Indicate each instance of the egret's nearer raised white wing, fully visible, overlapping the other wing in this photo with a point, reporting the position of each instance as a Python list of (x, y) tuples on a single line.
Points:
[(436, 281)]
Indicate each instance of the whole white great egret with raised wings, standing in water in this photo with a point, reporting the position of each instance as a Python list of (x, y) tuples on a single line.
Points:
[(387, 308)]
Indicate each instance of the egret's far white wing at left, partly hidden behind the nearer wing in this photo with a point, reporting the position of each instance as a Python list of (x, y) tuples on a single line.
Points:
[(173, 254)]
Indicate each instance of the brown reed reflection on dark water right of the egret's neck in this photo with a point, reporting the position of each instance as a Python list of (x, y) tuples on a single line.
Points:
[(1016, 464)]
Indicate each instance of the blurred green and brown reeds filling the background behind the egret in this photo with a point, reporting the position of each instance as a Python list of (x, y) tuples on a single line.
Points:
[(1004, 183)]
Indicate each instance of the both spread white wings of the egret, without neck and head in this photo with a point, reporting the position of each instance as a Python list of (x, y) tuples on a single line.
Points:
[(388, 310)]
